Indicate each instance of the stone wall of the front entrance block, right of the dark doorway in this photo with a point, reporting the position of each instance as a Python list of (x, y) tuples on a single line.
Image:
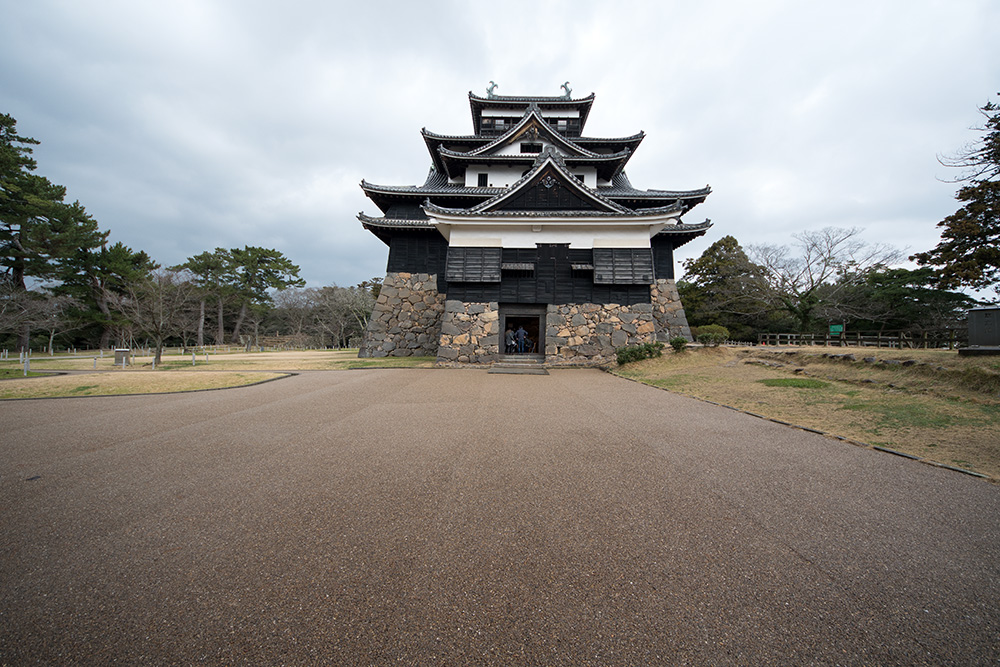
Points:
[(589, 333)]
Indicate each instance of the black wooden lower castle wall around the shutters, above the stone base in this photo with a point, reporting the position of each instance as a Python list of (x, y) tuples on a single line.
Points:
[(553, 278)]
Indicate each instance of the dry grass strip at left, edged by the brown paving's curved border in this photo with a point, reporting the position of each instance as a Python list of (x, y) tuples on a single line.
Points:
[(126, 382)]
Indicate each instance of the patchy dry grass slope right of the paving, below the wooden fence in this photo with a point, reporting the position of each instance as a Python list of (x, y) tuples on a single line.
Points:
[(941, 407)]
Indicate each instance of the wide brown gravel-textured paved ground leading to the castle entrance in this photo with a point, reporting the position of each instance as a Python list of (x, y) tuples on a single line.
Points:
[(456, 517)]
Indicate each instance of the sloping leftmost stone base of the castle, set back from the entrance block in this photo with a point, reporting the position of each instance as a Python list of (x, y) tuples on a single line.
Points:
[(406, 320)]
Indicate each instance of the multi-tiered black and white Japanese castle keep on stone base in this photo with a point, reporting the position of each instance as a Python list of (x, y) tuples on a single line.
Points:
[(527, 224)]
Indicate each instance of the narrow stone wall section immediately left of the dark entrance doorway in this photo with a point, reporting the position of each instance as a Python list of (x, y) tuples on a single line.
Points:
[(470, 333)]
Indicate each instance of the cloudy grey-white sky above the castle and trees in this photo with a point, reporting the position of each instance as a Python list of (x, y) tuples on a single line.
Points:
[(187, 125)]
